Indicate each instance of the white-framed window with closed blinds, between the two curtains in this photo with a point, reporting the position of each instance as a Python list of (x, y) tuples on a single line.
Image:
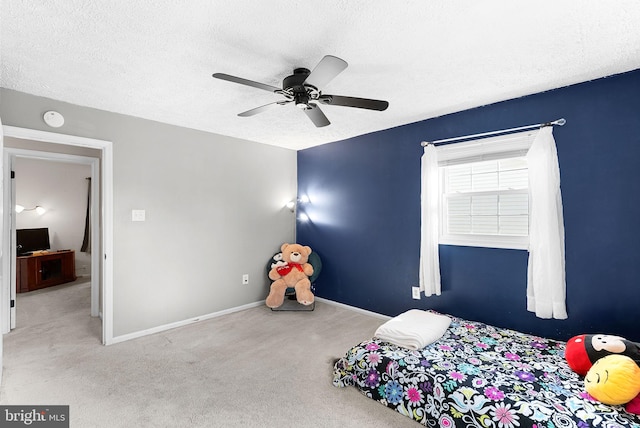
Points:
[(484, 192)]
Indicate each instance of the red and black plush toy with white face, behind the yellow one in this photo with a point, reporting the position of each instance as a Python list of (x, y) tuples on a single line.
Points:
[(584, 350)]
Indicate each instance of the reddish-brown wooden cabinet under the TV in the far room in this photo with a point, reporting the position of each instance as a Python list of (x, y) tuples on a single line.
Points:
[(45, 269)]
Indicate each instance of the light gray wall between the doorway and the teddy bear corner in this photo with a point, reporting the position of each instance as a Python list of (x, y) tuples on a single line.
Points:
[(214, 211)]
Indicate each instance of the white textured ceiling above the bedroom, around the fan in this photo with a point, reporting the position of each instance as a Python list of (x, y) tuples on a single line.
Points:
[(154, 58)]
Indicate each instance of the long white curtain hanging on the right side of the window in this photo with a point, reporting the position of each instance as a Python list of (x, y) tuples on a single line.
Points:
[(546, 288)]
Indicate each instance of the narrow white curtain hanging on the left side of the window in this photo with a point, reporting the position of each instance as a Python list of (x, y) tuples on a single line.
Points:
[(430, 194)]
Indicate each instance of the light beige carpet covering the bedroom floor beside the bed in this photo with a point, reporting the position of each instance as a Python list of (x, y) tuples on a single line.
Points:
[(254, 368)]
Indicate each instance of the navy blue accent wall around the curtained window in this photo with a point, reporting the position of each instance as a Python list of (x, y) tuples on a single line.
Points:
[(365, 215)]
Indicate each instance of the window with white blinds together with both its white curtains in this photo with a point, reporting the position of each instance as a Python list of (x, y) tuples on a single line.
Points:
[(474, 194)]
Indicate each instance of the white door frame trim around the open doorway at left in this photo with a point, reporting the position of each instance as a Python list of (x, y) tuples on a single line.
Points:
[(104, 234)]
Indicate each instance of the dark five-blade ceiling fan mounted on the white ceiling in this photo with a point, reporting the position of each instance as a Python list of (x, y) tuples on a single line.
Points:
[(302, 89)]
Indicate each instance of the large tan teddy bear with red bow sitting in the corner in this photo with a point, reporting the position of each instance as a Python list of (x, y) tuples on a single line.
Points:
[(293, 270)]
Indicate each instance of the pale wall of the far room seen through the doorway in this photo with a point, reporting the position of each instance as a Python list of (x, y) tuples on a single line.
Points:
[(61, 188)]
